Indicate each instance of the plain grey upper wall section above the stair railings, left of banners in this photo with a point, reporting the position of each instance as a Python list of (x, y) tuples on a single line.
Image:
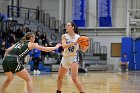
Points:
[(50, 6)]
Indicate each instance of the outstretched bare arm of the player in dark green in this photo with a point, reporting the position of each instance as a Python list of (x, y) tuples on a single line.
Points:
[(46, 49)]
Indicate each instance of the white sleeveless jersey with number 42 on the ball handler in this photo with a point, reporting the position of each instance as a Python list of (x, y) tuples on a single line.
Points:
[(71, 51)]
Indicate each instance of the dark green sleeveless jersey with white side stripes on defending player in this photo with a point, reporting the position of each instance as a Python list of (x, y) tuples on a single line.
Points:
[(20, 50)]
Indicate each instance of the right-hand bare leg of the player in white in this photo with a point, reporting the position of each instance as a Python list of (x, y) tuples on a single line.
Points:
[(74, 74)]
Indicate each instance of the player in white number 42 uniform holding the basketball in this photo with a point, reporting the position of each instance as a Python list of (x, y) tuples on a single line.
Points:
[(70, 57)]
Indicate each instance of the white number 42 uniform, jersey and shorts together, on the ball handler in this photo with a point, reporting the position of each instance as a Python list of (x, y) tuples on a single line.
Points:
[(70, 54)]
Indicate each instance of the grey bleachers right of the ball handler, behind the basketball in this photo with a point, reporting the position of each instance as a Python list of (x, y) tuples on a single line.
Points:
[(96, 57)]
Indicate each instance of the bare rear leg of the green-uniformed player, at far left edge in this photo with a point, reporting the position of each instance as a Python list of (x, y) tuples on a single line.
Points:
[(6, 83)]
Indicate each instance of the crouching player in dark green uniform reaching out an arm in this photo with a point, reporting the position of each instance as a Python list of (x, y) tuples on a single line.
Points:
[(13, 55)]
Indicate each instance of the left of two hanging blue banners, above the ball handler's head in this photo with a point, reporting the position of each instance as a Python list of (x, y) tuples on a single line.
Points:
[(79, 12)]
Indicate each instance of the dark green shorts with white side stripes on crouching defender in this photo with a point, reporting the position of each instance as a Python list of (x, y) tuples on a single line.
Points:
[(11, 63)]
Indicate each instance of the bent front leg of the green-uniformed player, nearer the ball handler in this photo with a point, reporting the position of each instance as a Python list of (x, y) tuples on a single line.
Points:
[(26, 76)]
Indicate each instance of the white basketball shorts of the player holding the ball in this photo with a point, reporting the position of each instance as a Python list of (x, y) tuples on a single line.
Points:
[(66, 61)]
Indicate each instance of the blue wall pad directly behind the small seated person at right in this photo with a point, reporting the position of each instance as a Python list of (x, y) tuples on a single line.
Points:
[(127, 47)]
